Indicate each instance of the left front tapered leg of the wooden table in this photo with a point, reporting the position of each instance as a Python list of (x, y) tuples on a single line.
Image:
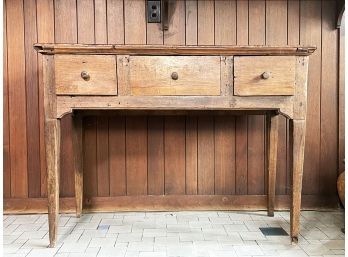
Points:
[(52, 139)]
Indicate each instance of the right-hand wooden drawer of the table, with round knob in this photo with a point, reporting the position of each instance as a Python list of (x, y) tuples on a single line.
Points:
[(264, 75)]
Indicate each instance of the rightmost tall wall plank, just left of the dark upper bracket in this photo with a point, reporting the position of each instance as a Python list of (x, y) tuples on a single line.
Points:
[(329, 106)]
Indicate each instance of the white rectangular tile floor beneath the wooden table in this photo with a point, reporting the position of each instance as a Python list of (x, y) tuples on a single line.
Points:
[(155, 234)]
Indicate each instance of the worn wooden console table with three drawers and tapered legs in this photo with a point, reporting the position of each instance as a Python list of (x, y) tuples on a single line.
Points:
[(270, 80)]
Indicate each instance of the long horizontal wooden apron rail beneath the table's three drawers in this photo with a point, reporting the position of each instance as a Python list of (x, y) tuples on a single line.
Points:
[(66, 103)]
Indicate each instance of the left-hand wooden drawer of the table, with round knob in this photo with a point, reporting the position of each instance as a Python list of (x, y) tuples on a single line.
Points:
[(85, 75)]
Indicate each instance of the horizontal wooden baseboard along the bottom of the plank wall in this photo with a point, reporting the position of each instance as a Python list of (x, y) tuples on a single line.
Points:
[(169, 203)]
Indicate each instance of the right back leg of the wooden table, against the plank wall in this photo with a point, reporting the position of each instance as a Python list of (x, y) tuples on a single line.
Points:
[(272, 147)]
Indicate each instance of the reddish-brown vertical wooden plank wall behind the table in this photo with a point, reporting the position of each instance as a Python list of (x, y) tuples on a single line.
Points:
[(156, 155)]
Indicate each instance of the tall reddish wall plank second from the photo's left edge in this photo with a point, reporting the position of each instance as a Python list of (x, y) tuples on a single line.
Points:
[(17, 98)]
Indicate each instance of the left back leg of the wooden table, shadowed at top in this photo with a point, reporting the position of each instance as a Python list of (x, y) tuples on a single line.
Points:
[(78, 162)]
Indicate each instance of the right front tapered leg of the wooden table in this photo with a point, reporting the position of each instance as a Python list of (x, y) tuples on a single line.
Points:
[(298, 132)]
